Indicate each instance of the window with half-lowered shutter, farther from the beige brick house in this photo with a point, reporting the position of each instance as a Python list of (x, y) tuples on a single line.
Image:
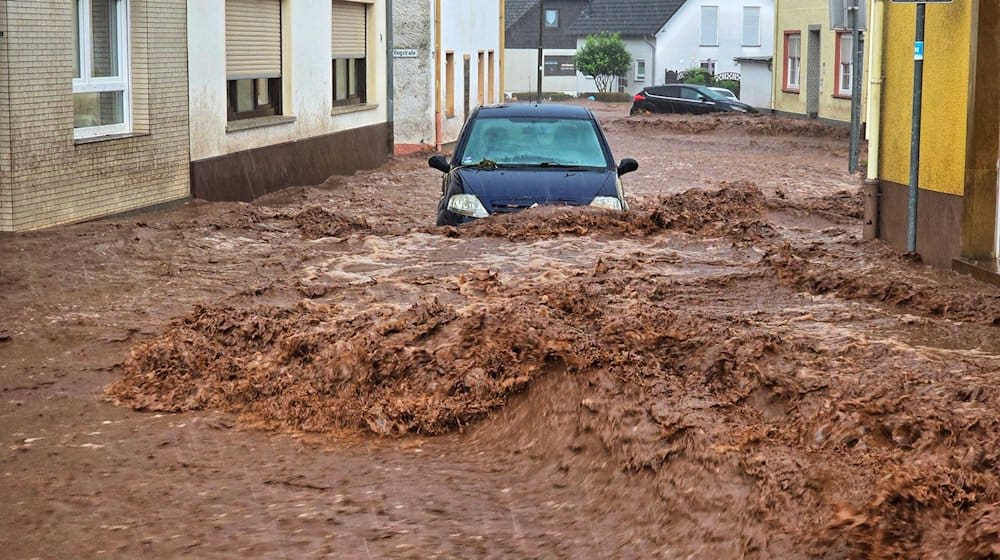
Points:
[(349, 50)]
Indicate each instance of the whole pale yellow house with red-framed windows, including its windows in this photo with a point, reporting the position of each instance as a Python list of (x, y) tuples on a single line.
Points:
[(813, 62)]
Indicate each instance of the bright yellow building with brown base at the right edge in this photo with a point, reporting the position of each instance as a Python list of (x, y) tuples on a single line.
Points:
[(957, 202)]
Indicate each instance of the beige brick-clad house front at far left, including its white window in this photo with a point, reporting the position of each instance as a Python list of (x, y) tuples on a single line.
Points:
[(93, 109)]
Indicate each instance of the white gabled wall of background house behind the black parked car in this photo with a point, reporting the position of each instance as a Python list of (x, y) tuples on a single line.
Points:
[(679, 41)]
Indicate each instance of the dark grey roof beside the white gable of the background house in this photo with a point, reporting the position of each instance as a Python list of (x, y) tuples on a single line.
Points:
[(630, 18)]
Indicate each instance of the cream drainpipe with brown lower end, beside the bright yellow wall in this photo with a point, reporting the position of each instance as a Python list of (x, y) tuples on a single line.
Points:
[(876, 33)]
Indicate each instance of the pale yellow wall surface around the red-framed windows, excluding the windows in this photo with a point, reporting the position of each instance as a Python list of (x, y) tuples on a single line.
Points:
[(799, 15)]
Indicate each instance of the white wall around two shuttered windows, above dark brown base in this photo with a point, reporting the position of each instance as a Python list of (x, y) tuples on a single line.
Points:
[(306, 77)]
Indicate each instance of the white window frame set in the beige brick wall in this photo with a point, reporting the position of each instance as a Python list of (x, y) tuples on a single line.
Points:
[(86, 83)]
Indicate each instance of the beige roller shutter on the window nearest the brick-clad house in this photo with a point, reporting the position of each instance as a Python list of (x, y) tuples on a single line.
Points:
[(253, 39)]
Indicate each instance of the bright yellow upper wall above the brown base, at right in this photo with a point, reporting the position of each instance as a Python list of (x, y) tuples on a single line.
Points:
[(945, 95)]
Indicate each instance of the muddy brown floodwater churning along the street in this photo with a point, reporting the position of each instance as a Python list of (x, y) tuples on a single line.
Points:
[(725, 371)]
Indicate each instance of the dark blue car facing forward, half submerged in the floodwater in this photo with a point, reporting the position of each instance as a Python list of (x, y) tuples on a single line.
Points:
[(512, 157)]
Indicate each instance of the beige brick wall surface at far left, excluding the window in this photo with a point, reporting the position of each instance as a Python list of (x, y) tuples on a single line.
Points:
[(55, 180)]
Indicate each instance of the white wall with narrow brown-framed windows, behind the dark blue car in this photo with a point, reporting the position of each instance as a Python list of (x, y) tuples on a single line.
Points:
[(468, 27)]
